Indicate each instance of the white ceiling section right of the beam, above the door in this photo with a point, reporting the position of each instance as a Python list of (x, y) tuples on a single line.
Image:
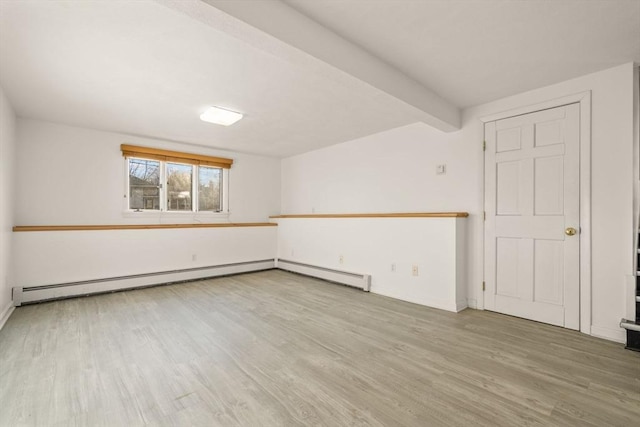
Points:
[(475, 51)]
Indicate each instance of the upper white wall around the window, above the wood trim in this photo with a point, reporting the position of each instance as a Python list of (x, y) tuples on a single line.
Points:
[(71, 175)]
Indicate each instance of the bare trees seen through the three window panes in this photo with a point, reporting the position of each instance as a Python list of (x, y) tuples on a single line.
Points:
[(146, 190)]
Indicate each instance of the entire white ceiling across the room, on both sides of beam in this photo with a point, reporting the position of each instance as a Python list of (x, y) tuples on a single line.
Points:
[(150, 67)]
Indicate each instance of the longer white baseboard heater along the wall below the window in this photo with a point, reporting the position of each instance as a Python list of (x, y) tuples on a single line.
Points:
[(24, 295)]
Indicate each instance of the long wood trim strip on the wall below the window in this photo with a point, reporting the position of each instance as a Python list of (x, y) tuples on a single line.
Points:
[(20, 228)]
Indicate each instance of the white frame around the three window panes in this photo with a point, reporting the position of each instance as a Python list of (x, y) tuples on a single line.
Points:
[(164, 211)]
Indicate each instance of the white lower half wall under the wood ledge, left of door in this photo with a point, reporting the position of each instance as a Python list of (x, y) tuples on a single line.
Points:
[(387, 249)]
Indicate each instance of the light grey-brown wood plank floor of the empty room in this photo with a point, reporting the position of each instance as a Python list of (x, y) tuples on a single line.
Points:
[(278, 349)]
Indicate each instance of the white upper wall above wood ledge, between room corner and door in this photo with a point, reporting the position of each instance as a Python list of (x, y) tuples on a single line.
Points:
[(392, 171)]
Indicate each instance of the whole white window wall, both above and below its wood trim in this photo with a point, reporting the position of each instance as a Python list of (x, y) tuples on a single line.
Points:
[(76, 176)]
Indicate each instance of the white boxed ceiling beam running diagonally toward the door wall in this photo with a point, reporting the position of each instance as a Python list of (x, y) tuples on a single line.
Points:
[(277, 28)]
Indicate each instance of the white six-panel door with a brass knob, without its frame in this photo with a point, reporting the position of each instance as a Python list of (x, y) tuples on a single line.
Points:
[(532, 201)]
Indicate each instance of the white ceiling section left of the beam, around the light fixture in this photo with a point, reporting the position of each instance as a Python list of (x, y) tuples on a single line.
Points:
[(141, 68)]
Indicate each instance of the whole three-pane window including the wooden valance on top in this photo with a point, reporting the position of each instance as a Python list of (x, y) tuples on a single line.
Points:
[(160, 180)]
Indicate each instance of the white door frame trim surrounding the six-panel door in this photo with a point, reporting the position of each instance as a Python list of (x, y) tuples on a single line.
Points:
[(584, 100)]
